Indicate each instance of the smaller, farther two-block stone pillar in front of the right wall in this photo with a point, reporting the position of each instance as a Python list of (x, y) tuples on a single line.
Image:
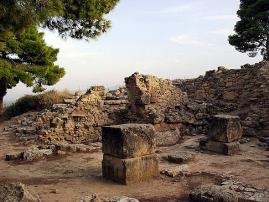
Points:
[(224, 135)]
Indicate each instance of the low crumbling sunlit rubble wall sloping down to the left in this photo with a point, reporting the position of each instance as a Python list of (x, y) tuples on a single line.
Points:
[(78, 120)]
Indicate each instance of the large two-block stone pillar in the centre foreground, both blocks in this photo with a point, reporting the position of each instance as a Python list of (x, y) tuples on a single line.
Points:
[(129, 153)]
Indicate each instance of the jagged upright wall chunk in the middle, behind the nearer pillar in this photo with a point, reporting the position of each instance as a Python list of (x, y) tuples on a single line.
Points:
[(151, 100)]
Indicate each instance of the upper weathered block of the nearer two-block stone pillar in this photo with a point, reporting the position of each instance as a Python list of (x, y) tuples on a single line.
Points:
[(128, 140)]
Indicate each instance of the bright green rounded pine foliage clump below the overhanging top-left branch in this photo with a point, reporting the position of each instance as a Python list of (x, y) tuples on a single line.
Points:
[(26, 58)]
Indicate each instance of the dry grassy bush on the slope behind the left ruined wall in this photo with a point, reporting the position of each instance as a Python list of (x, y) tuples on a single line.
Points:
[(38, 102)]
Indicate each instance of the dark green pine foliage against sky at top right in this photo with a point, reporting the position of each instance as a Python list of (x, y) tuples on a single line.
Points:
[(252, 31)]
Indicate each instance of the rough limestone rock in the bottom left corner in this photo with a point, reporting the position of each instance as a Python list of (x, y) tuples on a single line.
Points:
[(15, 192)]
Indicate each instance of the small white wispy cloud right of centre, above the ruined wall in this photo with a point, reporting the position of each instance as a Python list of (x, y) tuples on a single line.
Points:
[(187, 40)]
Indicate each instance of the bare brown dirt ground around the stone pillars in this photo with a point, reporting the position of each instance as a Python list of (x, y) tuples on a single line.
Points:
[(76, 175)]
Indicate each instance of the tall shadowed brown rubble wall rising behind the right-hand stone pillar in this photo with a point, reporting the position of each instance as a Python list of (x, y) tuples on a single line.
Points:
[(244, 92)]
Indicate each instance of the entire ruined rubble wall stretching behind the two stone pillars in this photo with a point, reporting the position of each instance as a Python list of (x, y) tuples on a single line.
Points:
[(175, 108)]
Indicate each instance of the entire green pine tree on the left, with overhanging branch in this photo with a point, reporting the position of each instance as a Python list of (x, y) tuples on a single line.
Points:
[(24, 55)]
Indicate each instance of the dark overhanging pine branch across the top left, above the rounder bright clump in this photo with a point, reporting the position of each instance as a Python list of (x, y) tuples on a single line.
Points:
[(76, 18)]
